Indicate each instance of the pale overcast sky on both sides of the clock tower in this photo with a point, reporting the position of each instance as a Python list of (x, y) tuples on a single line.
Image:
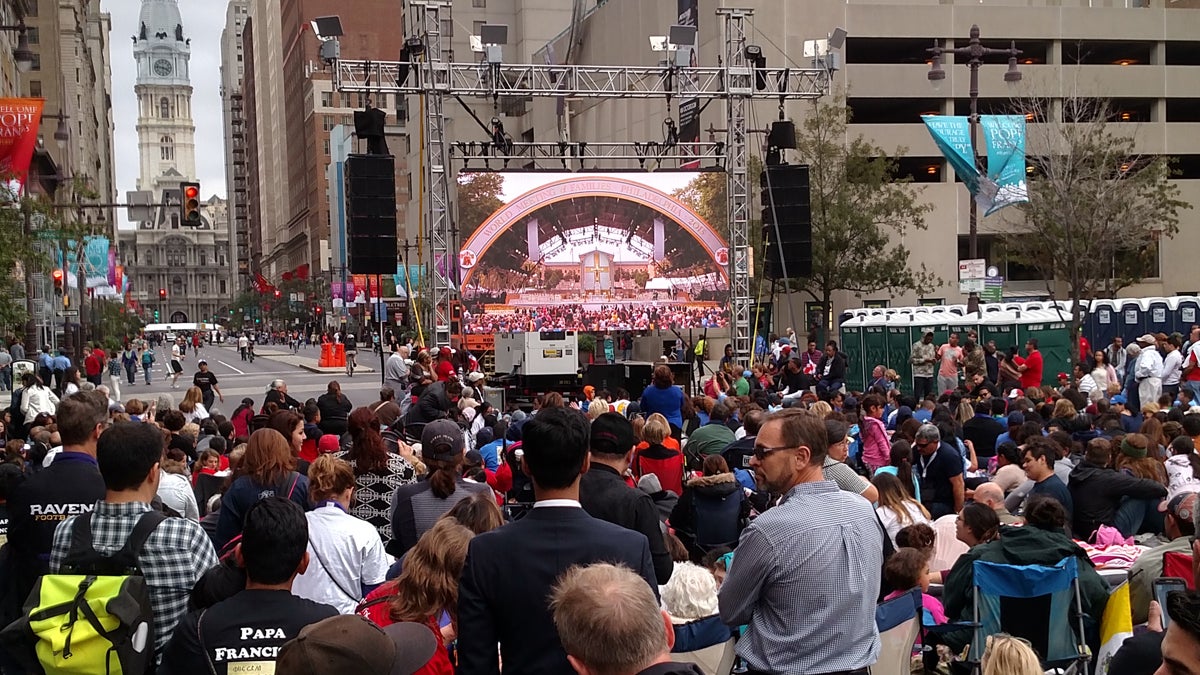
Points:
[(203, 22)]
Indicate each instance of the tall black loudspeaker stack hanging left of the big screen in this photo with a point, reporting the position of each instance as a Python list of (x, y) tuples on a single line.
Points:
[(371, 214)]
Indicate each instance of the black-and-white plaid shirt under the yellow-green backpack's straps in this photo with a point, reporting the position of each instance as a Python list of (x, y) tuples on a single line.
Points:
[(175, 558)]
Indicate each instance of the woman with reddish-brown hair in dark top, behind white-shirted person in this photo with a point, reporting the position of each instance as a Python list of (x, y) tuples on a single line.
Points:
[(267, 470)]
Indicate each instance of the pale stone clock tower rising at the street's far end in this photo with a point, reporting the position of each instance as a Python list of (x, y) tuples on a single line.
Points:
[(166, 133)]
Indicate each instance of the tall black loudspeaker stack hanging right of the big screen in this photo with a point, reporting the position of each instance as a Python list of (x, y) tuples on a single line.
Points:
[(785, 202)]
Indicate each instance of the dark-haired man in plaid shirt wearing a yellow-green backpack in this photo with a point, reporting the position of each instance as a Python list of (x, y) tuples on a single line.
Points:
[(178, 552)]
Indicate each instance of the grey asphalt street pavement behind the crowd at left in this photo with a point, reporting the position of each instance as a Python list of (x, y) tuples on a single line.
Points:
[(238, 379)]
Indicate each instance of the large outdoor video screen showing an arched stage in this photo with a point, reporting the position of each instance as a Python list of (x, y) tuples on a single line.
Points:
[(589, 253)]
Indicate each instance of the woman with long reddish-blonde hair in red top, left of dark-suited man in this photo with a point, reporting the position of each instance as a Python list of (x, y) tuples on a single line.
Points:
[(428, 588)]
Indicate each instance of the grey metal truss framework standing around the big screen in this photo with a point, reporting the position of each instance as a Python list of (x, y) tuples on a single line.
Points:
[(737, 83)]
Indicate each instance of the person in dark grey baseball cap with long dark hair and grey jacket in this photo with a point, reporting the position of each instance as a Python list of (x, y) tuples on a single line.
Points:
[(417, 507)]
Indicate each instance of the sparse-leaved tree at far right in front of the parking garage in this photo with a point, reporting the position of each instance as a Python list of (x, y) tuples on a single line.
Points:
[(1099, 208)]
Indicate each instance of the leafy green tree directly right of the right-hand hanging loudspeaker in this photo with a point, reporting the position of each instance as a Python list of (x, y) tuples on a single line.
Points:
[(861, 213)]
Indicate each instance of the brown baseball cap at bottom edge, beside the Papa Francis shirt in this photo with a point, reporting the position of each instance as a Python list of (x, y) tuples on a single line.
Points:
[(353, 646)]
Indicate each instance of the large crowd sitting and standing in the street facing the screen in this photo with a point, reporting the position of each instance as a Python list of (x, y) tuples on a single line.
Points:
[(767, 516)]
